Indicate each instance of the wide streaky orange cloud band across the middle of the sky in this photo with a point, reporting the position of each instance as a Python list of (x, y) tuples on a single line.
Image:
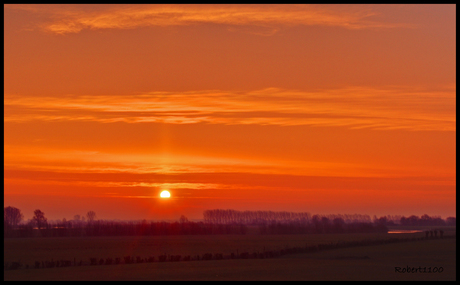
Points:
[(353, 107)]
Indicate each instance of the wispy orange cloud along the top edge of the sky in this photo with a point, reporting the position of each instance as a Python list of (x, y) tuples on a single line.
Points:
[(73, 19)]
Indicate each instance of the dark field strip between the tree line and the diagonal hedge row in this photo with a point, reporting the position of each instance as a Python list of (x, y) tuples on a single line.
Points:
[(29, 250)]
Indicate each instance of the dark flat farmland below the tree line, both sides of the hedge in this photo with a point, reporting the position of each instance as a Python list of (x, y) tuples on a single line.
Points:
[(376, 262)]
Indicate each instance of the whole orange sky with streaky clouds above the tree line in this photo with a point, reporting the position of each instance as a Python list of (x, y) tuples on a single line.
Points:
[(326, 109)]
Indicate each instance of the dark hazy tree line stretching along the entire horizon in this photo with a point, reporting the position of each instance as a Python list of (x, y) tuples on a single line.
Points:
[(215, 222)]
